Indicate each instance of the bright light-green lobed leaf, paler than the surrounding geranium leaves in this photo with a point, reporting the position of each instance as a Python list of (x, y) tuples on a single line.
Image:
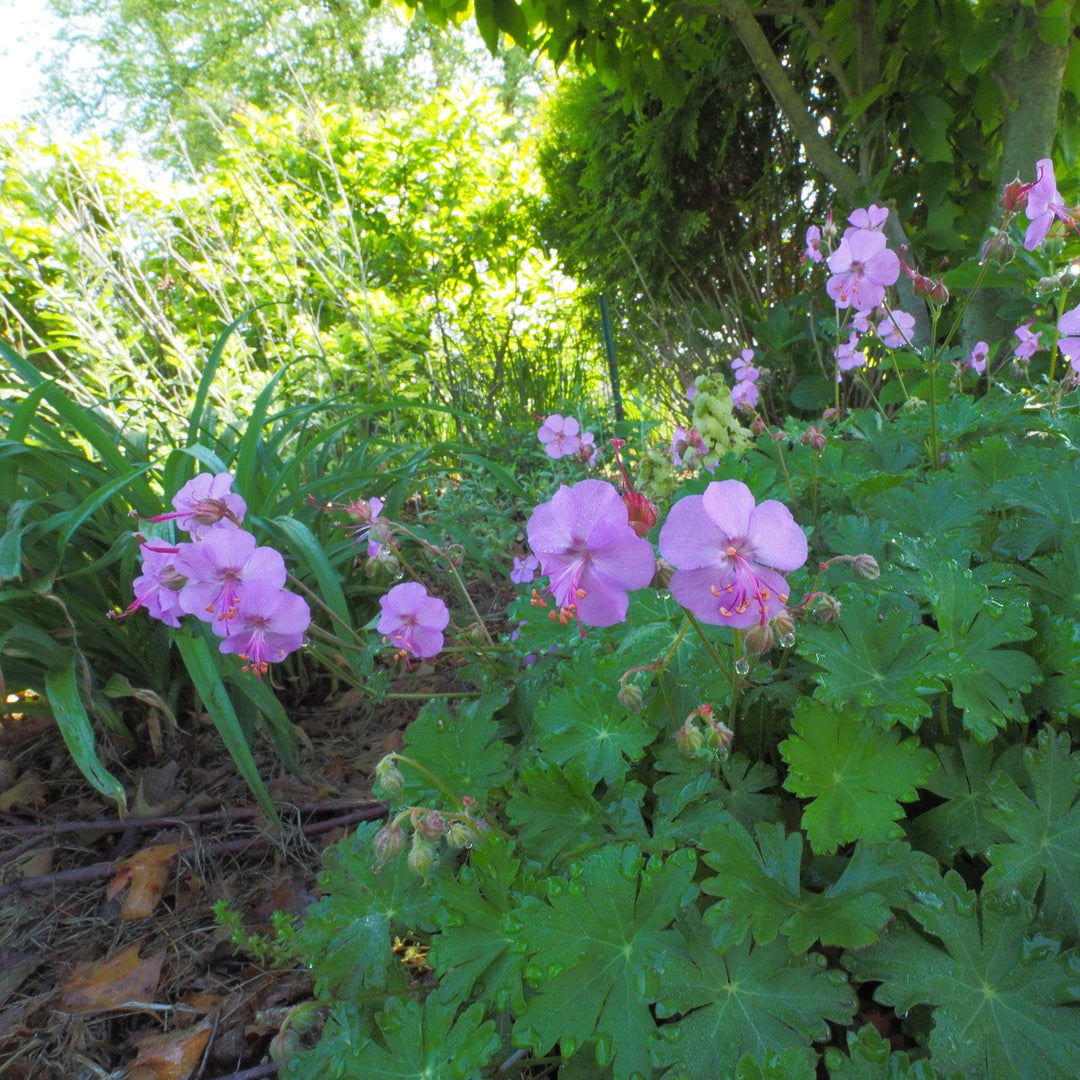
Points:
[(855, 774)]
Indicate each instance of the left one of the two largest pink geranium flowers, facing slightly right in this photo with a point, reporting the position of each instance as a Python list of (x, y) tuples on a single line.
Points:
[(590, 552)]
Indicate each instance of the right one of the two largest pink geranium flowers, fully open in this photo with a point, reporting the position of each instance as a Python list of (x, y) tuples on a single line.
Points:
[(727, 552)]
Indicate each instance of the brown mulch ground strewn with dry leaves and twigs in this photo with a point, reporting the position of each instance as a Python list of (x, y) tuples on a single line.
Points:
[(112, 958)]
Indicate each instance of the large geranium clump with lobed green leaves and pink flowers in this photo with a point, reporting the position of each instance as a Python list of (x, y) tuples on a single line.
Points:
[(785, 750)]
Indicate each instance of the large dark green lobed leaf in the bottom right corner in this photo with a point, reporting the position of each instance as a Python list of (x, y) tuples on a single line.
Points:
[(1004, 998)]
